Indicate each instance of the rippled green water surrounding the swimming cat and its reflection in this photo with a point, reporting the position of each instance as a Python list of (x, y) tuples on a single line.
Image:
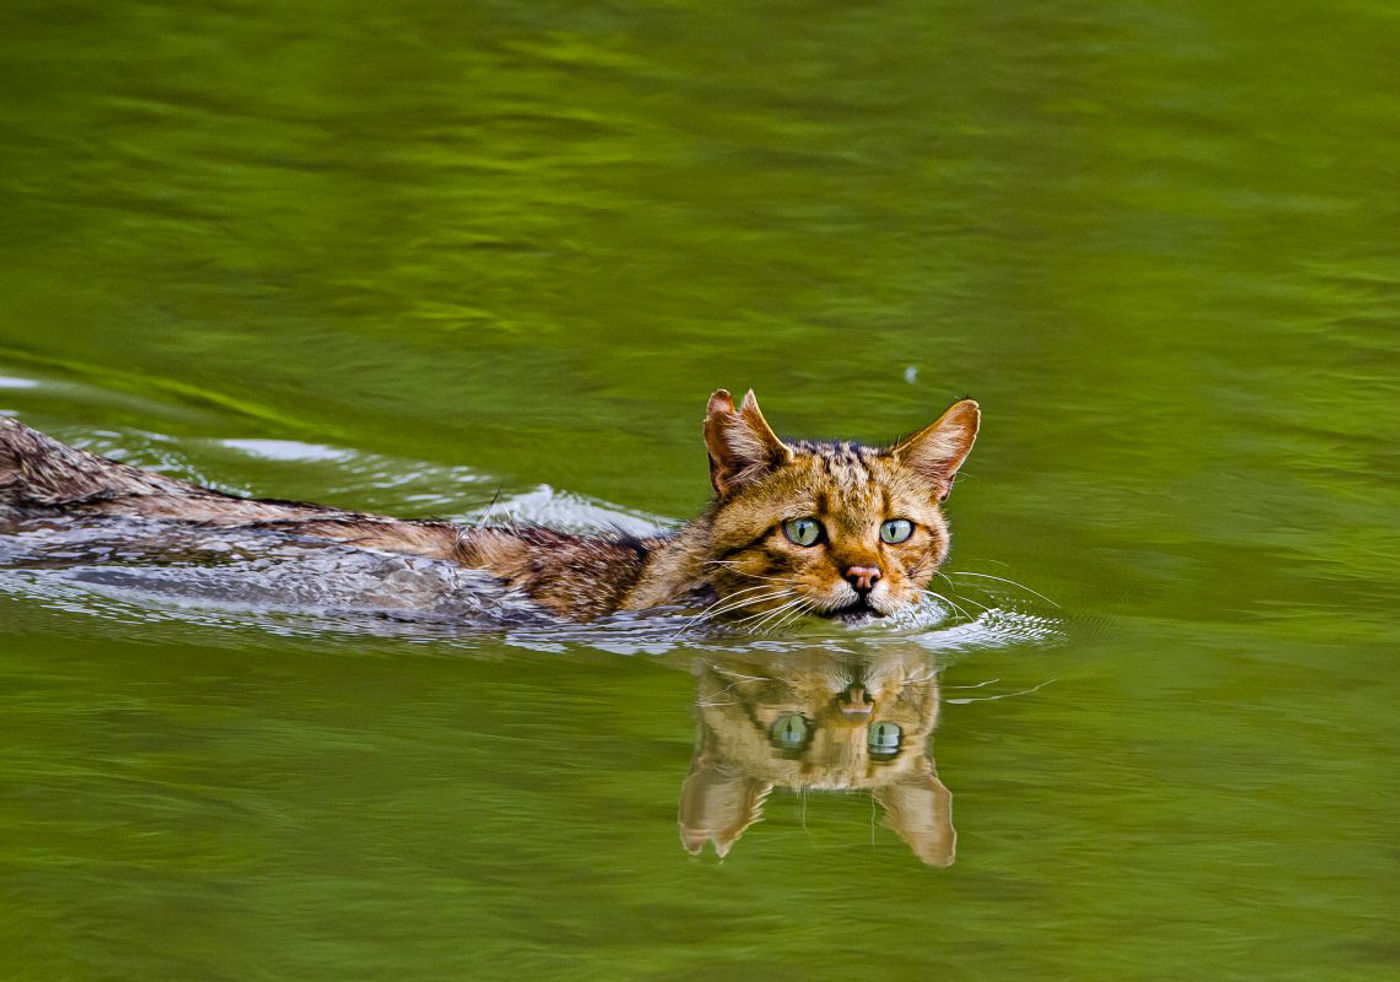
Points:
[(467, 251)]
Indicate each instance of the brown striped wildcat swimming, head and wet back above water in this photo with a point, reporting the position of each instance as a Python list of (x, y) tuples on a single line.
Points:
[(834, 530)]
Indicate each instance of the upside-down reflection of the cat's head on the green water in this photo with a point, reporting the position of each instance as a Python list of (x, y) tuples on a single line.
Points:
[(820, 722)]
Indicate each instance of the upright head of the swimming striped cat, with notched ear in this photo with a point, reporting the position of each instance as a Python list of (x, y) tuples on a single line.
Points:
[(829, 529)]
